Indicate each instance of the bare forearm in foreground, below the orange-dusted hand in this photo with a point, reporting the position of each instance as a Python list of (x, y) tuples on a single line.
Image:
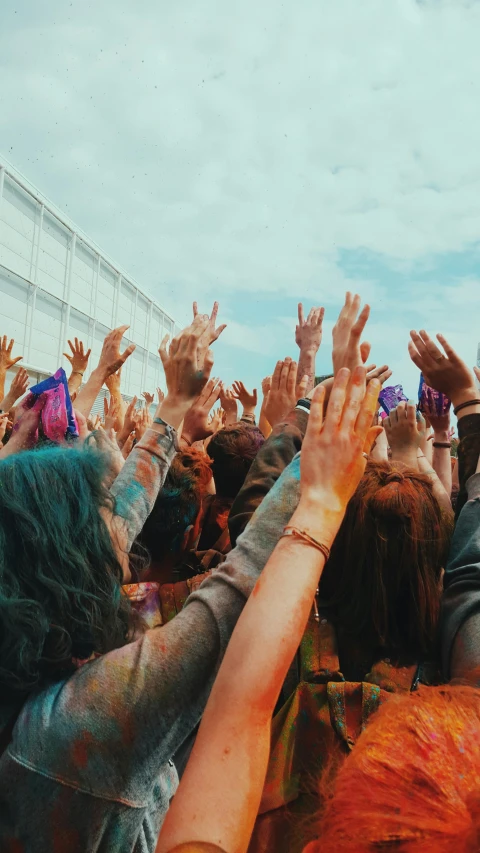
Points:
[(235, 730)]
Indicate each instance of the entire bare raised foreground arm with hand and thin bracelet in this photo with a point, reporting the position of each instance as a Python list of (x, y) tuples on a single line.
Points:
[(230, 756)]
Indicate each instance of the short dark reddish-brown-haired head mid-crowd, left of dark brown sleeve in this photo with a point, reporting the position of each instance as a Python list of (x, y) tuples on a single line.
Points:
[(232, 452)]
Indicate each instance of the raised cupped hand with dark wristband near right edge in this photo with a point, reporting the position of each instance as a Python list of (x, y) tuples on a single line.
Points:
[(445, 371)]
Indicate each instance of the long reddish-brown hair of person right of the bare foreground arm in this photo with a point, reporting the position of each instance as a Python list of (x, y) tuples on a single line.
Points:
[(384, 574)]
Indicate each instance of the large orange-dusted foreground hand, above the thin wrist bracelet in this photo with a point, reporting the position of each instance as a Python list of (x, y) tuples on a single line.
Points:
[(333, 452)]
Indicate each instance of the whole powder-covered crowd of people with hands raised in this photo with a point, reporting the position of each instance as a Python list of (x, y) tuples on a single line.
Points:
[(241, 625)]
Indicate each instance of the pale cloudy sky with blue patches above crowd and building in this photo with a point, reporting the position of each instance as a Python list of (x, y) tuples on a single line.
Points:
[(261, 154)]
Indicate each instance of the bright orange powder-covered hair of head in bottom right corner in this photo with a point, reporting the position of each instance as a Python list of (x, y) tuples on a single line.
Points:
[(412, 781)]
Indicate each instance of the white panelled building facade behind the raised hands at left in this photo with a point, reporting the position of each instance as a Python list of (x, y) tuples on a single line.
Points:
[(56, 284)]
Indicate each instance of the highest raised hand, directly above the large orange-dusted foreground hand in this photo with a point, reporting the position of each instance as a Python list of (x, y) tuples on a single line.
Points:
[(347, 349)]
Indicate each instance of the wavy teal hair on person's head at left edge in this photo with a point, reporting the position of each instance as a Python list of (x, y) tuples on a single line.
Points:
[(60, 578)]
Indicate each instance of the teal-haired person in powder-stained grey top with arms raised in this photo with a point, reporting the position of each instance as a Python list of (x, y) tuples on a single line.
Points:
[(89, 719)]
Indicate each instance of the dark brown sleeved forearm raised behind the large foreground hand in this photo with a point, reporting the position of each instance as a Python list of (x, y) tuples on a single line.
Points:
[(272, 459)]
